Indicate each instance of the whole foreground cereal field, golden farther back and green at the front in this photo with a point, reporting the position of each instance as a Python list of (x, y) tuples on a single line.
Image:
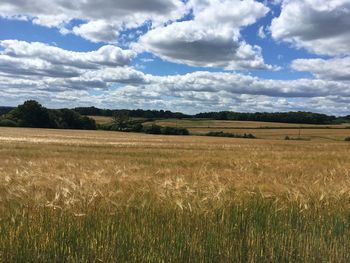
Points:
[(95, 196)]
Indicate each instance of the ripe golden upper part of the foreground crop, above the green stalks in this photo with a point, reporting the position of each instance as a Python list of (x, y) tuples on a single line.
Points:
[(74, 169)]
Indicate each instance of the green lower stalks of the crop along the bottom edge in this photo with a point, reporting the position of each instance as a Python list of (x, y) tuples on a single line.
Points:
[(254, 231)]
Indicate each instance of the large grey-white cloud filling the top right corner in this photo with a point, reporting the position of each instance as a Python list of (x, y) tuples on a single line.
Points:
[(322, 27)]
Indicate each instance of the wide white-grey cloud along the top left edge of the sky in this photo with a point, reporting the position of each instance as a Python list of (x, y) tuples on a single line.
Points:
[(102, 18)]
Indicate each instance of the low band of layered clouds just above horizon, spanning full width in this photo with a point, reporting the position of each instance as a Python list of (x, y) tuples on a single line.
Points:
[(124, 87)]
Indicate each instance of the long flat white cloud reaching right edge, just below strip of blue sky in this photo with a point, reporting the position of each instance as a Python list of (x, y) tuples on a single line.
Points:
[(244, 84)]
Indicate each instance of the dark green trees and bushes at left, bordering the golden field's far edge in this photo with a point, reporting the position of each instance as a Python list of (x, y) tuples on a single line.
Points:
[(32, 114)]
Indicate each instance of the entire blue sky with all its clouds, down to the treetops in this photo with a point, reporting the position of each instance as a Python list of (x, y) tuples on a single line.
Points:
[(189, 56)]
